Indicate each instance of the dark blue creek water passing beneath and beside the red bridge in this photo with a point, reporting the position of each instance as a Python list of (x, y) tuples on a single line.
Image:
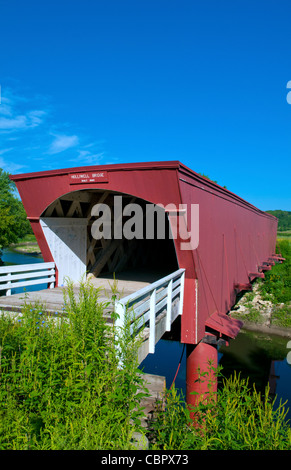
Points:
[(260, 357)]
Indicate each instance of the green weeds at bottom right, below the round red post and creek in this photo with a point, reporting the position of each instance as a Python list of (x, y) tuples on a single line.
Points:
[(234, 418)]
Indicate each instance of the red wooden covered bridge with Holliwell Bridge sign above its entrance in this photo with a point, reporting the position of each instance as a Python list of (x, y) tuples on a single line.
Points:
[(233, 242)]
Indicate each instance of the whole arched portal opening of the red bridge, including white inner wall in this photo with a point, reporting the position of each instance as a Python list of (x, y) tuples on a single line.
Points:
[(104, 233)]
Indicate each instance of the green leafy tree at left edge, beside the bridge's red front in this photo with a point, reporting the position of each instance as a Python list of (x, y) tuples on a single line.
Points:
[(14, 224)]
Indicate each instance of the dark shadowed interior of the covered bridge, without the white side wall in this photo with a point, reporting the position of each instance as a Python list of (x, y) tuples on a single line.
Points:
[(139, 256)]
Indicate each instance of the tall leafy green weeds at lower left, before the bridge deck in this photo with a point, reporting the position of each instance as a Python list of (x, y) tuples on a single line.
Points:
[(62, 386)]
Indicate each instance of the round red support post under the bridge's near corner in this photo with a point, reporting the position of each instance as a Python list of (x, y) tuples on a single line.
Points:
[(201, 359)]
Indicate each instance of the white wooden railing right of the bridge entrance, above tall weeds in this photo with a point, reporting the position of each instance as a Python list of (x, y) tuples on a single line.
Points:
[(149, 302)]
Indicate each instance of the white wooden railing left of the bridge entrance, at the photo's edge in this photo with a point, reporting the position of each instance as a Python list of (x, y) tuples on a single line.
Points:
[(24, 275)]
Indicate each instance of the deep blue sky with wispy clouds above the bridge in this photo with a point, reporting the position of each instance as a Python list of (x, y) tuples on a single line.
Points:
[(116, 81)]
